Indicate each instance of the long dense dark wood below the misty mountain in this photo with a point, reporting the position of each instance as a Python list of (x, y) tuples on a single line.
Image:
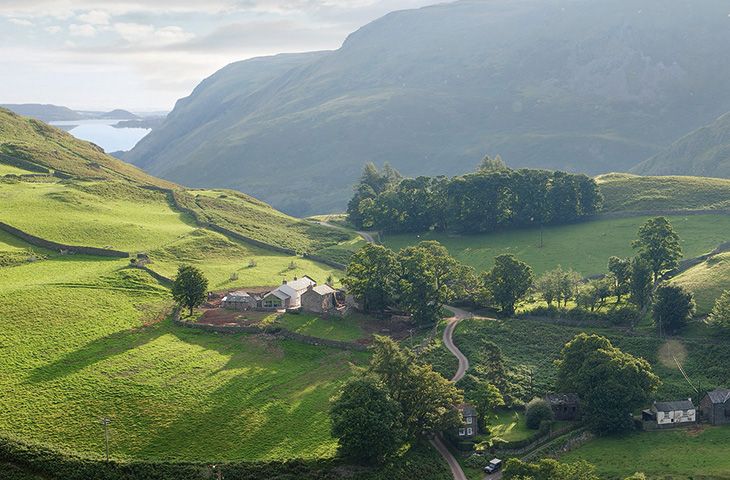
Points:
[(491, 199)]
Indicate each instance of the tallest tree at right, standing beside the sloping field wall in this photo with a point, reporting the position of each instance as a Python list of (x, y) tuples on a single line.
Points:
[(658, 244)]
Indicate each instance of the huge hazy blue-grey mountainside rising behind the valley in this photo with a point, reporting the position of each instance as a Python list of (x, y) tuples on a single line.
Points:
[(571, 84)]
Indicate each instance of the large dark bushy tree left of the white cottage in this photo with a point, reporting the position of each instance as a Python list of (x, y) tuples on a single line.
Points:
[(611, 383)]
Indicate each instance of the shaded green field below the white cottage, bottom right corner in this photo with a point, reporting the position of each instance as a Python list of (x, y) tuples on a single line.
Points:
[(668, 455)]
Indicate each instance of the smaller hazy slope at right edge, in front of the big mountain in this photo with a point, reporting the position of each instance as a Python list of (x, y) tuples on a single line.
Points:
[(704, 152)]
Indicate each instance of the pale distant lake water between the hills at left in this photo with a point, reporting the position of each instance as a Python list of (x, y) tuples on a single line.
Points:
[(103, 134)]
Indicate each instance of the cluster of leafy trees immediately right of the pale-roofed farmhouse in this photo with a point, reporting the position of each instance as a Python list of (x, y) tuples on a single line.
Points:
[(419, 279)]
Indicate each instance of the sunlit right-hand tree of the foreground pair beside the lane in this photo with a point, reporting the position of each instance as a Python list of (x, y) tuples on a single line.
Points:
[(425, 397)]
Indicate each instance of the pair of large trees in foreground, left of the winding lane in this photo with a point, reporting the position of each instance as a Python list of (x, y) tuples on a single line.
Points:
[(393, 401)]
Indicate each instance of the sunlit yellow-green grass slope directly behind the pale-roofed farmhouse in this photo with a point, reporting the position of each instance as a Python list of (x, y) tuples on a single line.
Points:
[(220, 258)]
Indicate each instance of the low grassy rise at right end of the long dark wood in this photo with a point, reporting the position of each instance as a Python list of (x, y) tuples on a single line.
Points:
[(624, 192)]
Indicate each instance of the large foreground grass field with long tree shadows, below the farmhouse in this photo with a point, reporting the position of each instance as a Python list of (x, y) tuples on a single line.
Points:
[(80, 341)]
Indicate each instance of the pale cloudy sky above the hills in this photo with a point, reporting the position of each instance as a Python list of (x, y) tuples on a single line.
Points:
[(145, 54)]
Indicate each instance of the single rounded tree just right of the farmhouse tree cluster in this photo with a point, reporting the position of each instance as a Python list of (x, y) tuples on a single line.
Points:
[(507, 282)]
